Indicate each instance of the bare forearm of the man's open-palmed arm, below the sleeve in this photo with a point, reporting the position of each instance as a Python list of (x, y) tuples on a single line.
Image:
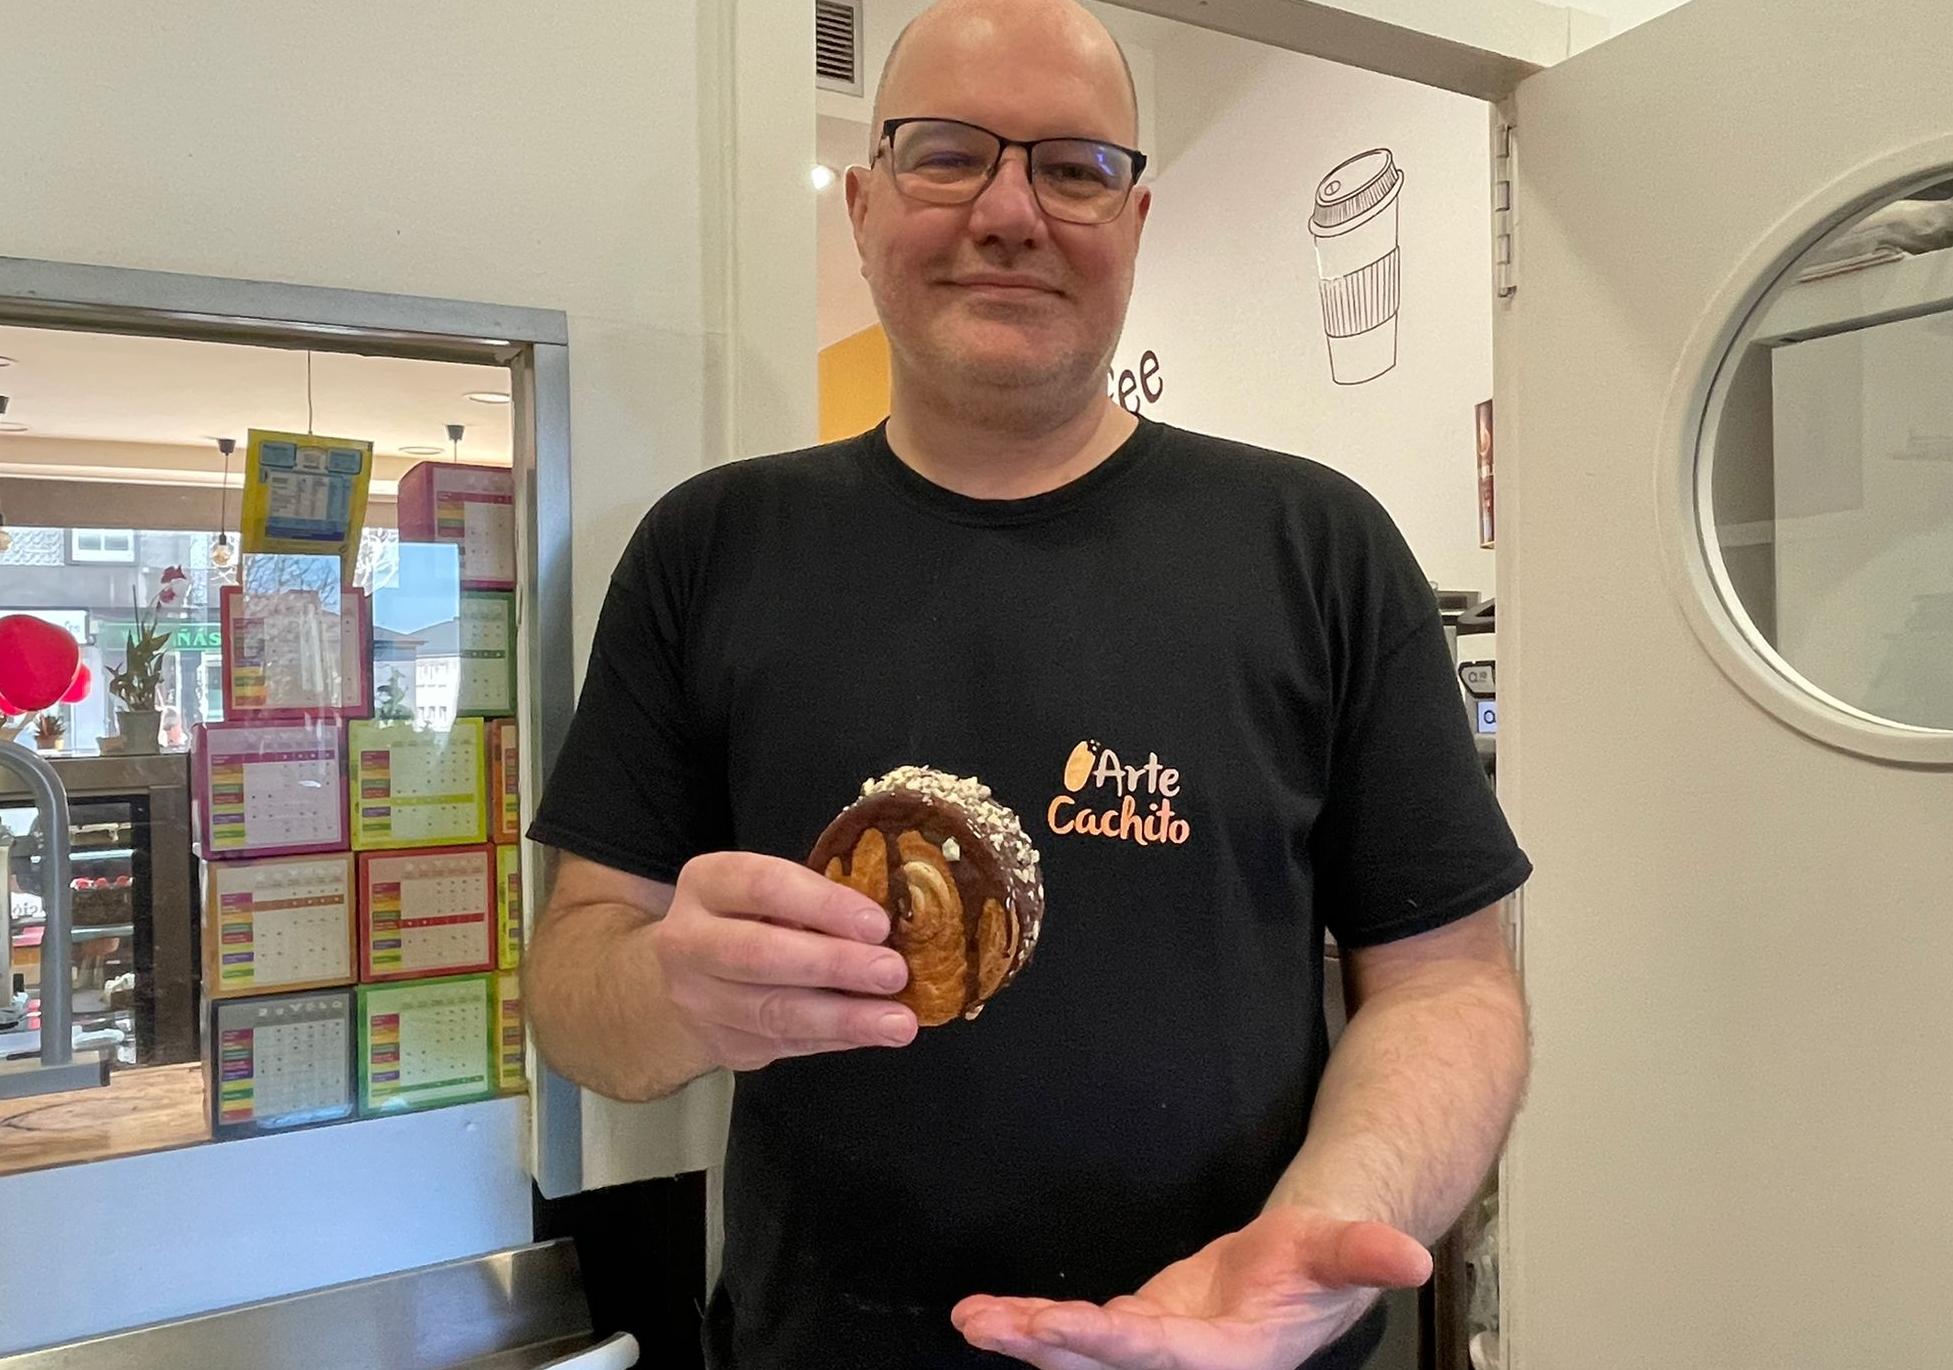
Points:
[(1415, 1103)]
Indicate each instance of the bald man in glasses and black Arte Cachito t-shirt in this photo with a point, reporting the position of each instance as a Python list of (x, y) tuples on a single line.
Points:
[(1142, 1156)]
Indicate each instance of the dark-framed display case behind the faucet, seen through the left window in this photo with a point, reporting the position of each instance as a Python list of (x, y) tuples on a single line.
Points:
[(134, 898)]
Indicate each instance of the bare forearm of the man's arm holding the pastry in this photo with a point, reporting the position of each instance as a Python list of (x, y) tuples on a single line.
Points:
[(599, 1009)]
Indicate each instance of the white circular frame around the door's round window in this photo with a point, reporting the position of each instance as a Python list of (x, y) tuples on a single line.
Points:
[(1684, 468)]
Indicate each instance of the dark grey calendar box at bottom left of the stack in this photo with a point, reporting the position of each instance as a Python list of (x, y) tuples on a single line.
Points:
[(280, 1062)]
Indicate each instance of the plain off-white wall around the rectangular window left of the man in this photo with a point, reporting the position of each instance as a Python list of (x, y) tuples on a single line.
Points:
[(642, 167)]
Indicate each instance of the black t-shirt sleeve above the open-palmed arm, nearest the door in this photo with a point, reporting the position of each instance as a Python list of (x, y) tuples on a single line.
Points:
[(1411, 835)]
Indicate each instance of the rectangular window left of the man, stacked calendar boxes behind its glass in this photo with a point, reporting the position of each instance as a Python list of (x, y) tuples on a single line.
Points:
[(296, 878)]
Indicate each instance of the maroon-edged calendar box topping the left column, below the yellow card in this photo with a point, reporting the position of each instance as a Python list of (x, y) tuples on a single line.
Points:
[(296, 654)]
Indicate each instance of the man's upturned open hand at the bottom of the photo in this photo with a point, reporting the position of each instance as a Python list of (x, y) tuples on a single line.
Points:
[(1261, 1299)]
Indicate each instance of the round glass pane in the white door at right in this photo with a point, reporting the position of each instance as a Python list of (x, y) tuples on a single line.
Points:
[(1825, 476)]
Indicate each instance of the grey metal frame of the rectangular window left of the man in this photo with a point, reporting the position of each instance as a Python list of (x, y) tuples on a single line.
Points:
[(532, 343)]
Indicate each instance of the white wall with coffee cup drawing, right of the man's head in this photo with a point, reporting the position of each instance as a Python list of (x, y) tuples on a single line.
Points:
[(1227, 290)]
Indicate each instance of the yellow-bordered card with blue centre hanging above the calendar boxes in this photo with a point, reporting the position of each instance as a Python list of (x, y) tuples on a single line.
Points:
[(306, 493)]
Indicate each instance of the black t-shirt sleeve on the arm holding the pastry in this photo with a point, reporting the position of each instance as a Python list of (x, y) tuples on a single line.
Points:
[(638, 785)]
